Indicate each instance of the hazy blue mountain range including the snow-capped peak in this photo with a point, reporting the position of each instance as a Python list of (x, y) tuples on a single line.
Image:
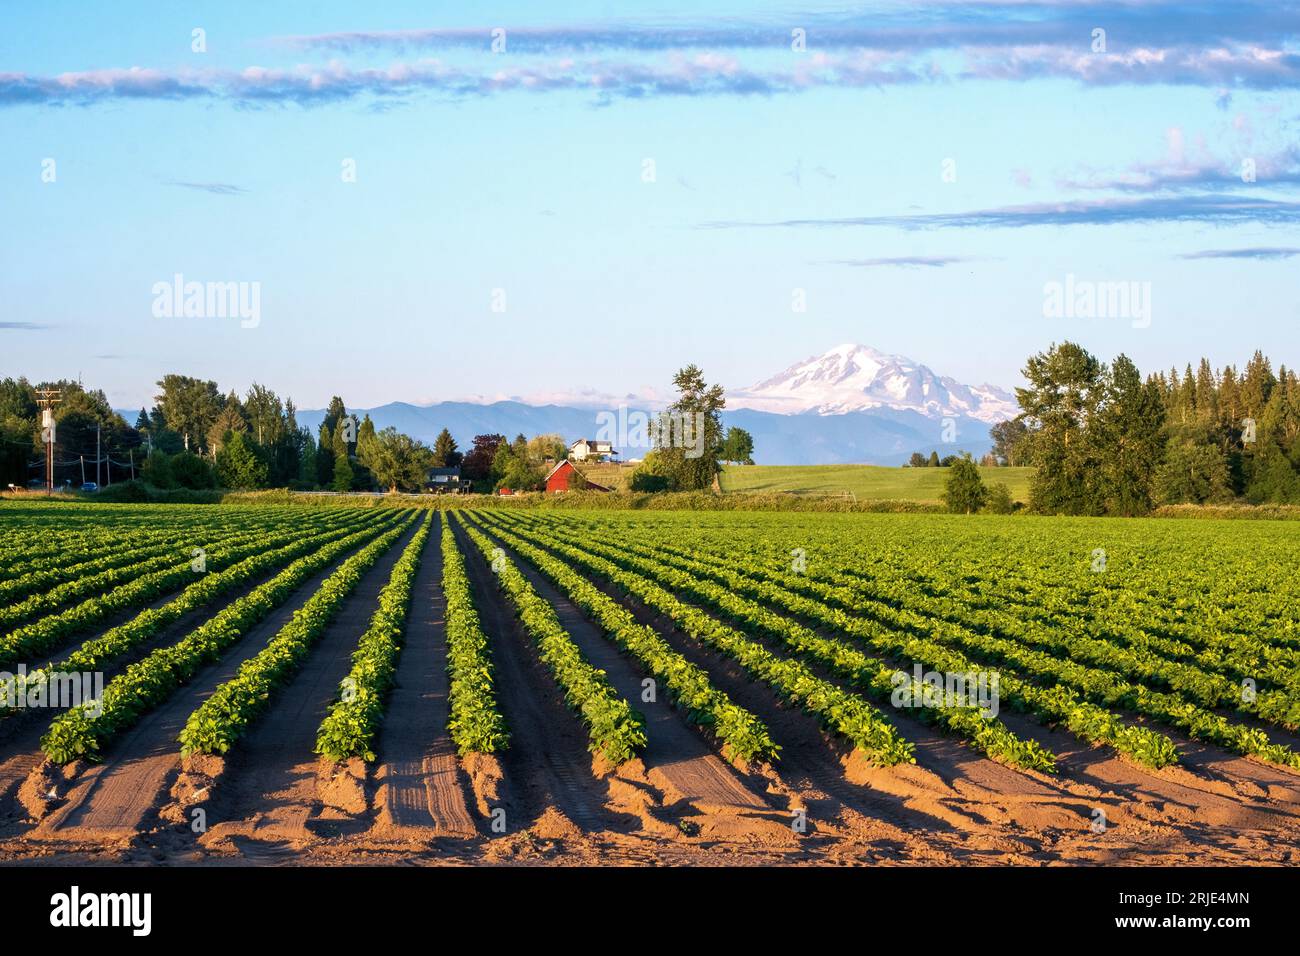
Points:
[(851, 405)]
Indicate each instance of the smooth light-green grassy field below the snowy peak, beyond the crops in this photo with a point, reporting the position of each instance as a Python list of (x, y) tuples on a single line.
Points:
[(863, 481)]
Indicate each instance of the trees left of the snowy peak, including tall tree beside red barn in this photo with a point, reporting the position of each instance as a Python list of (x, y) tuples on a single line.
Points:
[(196, 436)]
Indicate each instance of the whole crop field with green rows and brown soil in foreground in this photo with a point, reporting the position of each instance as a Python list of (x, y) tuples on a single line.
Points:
[(378, 685)]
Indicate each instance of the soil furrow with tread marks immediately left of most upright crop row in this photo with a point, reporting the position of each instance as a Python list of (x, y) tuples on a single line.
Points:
[(422, 789)]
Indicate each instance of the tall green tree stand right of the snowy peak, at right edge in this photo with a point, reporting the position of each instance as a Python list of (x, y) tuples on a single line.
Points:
[(1107, 442)]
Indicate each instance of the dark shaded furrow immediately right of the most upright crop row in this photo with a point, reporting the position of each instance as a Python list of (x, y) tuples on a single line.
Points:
[(548, 764)]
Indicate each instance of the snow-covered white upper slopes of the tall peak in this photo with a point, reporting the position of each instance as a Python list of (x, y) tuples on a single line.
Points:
[(856, 378)]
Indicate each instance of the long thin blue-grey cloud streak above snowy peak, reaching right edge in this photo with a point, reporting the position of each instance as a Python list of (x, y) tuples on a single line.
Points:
[(1215, 210)]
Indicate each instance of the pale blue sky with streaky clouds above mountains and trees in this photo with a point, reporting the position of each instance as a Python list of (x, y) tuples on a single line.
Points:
[(439, 201)]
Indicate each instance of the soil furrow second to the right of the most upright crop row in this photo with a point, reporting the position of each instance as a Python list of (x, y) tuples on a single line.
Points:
[(678, 762)]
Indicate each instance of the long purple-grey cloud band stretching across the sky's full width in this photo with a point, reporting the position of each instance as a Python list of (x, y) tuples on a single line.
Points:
[(681, 73)]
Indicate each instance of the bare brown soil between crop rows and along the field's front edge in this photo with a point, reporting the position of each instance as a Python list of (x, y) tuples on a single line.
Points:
[(547, 799)]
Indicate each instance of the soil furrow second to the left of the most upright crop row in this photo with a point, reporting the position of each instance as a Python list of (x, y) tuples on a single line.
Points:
[(268, 788)]
